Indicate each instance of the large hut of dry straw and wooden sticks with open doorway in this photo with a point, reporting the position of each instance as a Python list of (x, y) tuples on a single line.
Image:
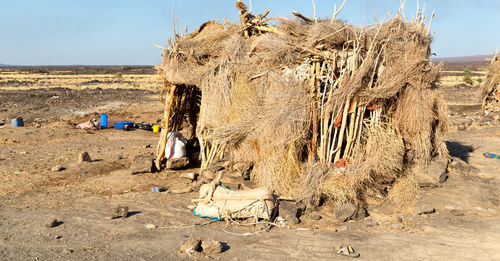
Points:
[(322, 108)]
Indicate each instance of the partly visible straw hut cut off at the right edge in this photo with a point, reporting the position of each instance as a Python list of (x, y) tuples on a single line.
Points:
[(490, 89)]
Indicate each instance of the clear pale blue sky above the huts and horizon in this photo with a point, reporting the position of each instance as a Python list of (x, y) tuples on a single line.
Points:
[(119, 32)]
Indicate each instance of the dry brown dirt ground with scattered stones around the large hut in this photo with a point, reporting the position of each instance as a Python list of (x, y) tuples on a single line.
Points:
[(466, 225)]
